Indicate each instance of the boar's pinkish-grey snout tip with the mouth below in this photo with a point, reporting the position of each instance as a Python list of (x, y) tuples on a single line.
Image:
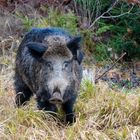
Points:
[(56, 98)]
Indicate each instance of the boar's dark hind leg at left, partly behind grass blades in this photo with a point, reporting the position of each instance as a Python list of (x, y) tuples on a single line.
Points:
[(23, 93)]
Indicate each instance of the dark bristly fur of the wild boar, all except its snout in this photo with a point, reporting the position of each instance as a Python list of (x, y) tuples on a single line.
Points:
[(49, 60)]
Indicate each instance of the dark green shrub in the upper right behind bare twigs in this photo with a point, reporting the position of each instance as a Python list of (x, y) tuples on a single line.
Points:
[(123, 31)]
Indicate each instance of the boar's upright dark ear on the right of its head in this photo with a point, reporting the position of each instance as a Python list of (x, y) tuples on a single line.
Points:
[(74, 46)]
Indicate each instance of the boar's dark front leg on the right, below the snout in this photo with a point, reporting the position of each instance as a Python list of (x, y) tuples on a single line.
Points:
[(68, 108)]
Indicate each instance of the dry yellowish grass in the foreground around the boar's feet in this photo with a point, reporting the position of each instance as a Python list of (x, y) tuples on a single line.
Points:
[(102, 113)]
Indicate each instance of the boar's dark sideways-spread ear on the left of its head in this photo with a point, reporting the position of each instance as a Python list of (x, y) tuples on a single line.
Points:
[(36, 49)]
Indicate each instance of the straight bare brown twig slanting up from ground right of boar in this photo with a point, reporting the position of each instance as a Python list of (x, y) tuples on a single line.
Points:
[(110, 67)]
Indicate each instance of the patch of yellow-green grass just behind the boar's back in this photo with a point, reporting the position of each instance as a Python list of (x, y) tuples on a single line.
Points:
[(55, 18)]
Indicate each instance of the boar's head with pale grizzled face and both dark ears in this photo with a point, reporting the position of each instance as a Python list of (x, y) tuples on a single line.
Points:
[(57, 75)]
